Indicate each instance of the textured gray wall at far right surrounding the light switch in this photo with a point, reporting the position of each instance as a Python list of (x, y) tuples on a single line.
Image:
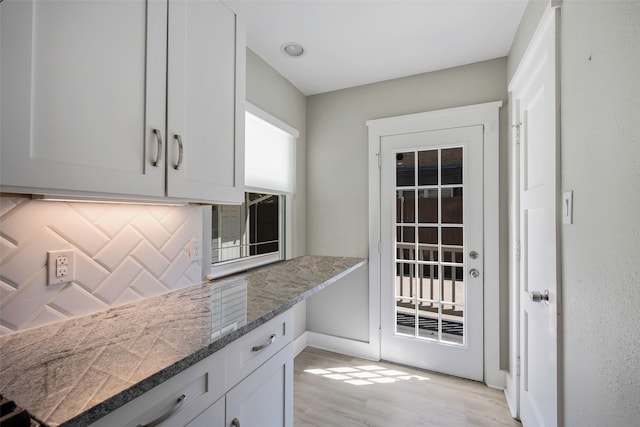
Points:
[(600, 149)]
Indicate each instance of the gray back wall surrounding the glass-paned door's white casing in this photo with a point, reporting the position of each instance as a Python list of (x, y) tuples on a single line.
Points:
[(337, 175)]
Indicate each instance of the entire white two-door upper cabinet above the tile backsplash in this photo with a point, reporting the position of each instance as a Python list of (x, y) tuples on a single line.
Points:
[(98, 96)]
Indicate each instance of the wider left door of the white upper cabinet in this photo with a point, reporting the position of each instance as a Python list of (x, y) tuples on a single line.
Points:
[(83, 88)]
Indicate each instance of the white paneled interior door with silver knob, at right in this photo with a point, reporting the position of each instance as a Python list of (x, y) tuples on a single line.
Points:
[(534, 94)]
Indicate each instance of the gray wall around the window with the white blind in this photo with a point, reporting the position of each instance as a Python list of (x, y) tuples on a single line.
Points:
[(267, 89)]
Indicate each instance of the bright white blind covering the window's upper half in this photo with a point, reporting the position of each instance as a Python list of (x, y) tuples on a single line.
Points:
[(269, 156)]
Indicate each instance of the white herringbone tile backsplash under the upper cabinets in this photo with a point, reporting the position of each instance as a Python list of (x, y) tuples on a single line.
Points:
[(123, 253)]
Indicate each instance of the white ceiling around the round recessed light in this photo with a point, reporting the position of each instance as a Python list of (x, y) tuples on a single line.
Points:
[(355, 42)]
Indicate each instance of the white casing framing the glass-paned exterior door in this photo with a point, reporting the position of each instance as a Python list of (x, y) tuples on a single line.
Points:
[(486, 114)]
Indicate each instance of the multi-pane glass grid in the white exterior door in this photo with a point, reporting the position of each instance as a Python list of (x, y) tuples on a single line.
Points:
[(429, 245)]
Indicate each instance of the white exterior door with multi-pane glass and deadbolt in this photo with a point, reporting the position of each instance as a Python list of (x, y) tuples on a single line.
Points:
[(431, 256)]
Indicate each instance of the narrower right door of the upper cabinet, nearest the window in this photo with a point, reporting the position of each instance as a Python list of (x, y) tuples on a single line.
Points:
[(205, 103)]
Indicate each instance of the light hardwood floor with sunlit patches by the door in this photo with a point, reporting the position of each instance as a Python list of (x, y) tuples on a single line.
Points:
[(395, 396)]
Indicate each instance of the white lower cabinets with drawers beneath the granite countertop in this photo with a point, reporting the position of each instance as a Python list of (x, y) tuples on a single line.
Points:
[(248, 383)]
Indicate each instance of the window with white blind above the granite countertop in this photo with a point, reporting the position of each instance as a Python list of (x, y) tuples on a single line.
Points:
[(254, 233)]
